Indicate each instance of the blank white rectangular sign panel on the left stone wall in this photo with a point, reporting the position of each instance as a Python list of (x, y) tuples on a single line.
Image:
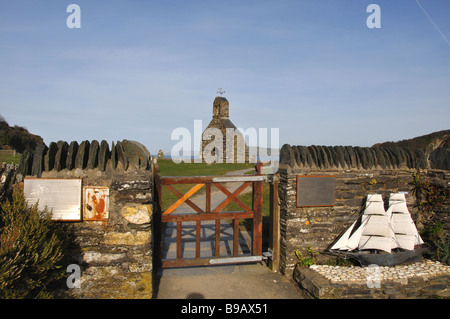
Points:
[(61, 196)]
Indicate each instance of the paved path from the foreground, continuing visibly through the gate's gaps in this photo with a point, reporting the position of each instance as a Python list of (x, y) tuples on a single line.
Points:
[(239, 281)]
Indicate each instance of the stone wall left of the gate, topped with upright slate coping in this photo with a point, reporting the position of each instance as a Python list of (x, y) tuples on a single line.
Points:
[(115, 254)]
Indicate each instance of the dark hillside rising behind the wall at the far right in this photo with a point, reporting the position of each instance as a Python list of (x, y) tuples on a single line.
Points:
[(427, 143)]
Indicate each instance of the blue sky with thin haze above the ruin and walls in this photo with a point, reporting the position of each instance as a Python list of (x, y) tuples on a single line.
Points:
[(139, 69)]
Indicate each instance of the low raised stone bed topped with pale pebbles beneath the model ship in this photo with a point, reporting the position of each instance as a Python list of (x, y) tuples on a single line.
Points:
[(428, 279)]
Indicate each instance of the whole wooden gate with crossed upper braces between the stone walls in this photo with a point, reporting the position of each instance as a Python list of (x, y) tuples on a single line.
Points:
[(228, 241)]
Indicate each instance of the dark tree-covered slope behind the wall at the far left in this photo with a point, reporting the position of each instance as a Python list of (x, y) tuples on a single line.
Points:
[(17, 138)]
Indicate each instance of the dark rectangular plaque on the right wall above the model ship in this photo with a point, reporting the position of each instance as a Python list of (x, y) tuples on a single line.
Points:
[(315, 190)]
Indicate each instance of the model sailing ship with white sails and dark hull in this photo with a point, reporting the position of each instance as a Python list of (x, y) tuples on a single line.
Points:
[(381, 237)]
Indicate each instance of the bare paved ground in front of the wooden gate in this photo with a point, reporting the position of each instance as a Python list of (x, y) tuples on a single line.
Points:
[(244, 281)]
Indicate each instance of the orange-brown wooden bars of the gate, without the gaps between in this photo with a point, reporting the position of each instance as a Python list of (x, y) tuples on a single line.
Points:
[(210, 214)]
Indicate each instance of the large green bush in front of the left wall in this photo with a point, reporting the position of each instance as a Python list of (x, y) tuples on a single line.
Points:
[(31, 250)]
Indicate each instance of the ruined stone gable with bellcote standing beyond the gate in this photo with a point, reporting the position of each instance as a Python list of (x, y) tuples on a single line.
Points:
[(221, 140)]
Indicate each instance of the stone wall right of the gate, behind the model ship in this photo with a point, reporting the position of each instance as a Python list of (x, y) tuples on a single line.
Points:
[(359, 171)]
